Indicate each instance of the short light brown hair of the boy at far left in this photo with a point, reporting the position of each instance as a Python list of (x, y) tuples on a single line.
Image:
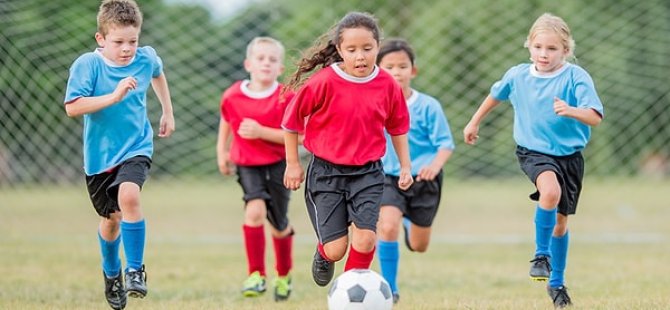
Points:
[(118, 13)]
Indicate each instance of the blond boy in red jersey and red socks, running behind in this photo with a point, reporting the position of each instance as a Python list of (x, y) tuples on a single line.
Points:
[(252, 111)]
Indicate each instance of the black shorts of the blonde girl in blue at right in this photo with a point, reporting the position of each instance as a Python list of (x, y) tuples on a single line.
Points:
[(569, 171)]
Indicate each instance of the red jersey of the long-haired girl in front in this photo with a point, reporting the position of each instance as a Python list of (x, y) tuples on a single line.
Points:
[(343, 117)]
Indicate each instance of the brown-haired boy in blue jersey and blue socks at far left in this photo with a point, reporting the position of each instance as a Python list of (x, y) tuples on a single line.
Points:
[(108, 87)]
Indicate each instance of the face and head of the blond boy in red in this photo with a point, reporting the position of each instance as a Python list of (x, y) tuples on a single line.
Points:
[(264, 63)]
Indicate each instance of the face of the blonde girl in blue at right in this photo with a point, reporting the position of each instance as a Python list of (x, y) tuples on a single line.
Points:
[(547, 52)]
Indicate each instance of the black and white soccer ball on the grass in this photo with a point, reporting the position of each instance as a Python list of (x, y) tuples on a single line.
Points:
[(360, 289)]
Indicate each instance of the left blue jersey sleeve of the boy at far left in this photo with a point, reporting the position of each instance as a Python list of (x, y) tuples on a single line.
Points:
[(81, 82)]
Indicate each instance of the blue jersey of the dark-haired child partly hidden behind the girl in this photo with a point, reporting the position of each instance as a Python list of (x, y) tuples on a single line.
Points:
[(428, 132)]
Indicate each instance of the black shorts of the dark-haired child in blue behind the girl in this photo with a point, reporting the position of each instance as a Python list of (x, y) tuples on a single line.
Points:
[(419, 203)]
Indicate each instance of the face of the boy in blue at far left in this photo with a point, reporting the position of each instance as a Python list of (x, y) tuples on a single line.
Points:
[(120, 43)]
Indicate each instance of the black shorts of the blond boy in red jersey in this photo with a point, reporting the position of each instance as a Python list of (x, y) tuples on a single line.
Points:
[(267, 182)]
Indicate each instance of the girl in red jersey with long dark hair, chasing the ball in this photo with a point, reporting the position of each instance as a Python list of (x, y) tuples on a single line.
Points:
[(349, 102)]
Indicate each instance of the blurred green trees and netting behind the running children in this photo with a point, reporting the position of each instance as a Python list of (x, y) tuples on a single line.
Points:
[(462, 48)]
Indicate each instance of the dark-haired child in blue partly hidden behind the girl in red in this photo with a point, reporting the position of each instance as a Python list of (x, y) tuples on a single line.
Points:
[(430, 145)]
